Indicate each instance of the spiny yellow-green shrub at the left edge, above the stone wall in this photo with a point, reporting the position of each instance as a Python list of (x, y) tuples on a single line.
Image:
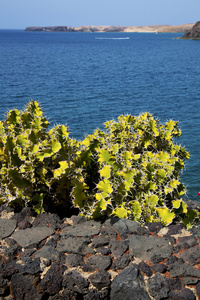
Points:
[(35, 164)]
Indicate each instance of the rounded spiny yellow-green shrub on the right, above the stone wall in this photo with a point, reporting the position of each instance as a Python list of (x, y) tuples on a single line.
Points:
[(131, 170)]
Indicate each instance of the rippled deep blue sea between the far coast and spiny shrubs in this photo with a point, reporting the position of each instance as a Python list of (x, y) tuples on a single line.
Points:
[(85, 79)]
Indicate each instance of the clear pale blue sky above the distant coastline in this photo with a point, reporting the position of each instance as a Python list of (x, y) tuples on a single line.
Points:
[(19, 14)]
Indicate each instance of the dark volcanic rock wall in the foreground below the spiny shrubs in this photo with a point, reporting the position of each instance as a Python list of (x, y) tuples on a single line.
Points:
[(43, 257)]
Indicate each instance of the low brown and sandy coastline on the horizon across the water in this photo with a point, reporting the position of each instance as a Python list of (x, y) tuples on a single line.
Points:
[(112, 28)]
